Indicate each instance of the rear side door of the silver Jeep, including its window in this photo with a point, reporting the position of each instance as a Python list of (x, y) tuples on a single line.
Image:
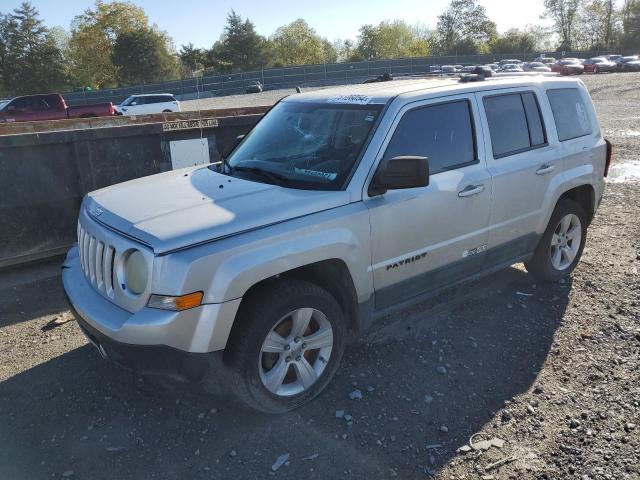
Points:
[(523, 166)]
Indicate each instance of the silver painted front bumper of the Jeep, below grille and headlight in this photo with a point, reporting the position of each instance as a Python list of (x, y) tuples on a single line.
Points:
[(202, 329)]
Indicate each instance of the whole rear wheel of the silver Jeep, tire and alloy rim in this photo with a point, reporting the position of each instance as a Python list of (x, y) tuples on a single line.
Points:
[(544, 264)]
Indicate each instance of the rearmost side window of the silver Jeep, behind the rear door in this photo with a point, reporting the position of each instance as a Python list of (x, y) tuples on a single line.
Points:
[(569, 113)]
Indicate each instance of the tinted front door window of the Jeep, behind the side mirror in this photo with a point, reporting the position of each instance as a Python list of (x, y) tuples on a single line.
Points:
[(443, 133)]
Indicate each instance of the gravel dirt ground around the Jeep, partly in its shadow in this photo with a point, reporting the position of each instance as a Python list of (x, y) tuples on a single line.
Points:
[(553, 370)]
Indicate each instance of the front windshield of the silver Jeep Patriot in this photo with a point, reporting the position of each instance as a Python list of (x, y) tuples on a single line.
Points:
[(306, 145)]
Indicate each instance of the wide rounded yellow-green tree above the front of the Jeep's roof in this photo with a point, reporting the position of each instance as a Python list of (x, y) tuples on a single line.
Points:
[(391, 40)]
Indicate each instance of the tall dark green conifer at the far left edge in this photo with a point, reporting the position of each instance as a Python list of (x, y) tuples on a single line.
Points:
[(30, 58)]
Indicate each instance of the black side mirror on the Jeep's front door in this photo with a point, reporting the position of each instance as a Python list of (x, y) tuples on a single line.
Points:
[(398, 173)]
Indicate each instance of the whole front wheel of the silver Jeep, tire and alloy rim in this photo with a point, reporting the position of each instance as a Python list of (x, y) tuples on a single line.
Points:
[(272, 311)]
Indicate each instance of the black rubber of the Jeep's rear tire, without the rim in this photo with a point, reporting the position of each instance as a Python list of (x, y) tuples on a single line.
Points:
[(540, 265)]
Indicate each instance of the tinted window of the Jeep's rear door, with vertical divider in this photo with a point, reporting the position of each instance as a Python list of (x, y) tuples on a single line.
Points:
[(515, 123)]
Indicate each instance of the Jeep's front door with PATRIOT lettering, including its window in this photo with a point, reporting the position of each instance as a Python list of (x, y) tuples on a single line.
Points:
[(423, 239)]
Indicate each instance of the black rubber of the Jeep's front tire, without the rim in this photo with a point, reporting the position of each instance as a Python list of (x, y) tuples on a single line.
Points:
[(262, 312)]
